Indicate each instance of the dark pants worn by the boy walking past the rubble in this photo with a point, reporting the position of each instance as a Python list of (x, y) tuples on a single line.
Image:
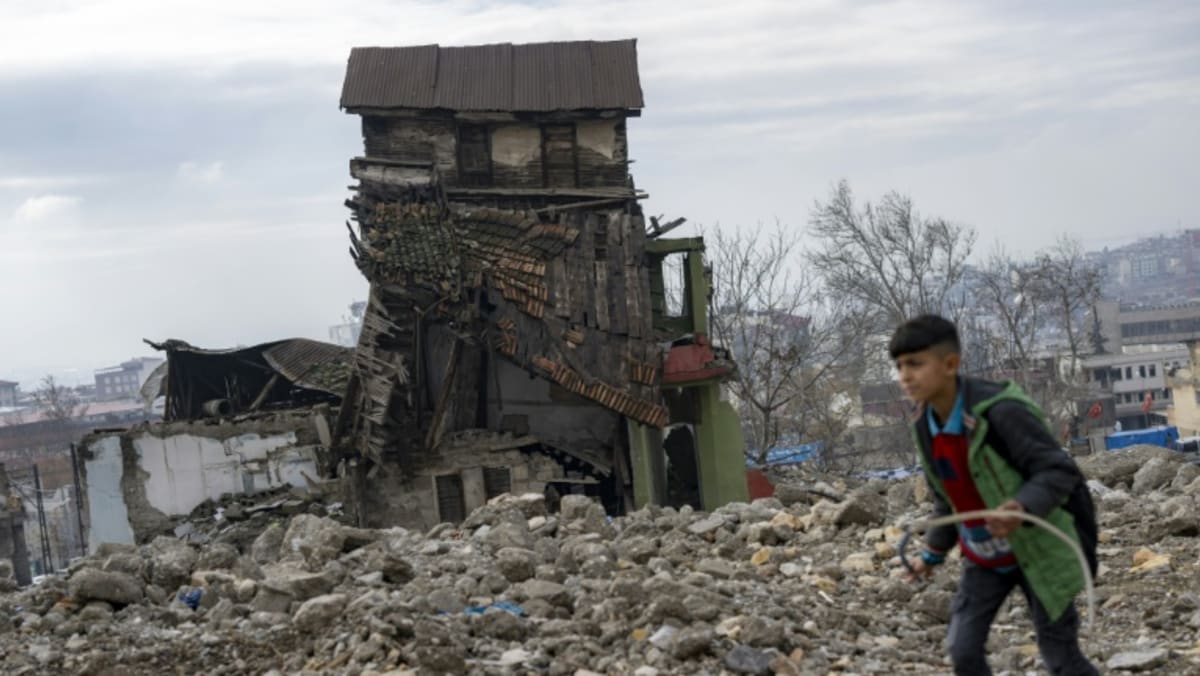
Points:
[(981, 594)]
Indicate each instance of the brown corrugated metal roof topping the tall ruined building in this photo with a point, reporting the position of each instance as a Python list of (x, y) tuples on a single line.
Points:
[(541, 77)]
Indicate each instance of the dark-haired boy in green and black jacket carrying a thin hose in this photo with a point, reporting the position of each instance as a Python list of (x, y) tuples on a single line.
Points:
[(986, 445)]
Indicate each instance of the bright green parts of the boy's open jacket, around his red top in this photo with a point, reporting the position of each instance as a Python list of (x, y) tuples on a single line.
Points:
[(1049, 566)]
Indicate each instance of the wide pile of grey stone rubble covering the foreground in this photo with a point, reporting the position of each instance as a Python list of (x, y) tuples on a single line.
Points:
[(796, 584)]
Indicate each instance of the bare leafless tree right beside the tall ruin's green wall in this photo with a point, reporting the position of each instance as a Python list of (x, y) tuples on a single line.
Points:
[(788, 342)]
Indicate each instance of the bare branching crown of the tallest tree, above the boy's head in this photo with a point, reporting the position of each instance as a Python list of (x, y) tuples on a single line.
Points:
[(887, 259)]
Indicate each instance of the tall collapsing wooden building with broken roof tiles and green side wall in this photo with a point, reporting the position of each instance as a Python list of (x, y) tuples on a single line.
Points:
[(526, 328)]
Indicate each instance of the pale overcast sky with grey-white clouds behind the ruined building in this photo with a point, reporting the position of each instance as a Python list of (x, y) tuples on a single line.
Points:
[(178, 170)]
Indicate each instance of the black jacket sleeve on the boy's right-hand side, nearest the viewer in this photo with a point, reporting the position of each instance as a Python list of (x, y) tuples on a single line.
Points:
[(1051, 474)]
